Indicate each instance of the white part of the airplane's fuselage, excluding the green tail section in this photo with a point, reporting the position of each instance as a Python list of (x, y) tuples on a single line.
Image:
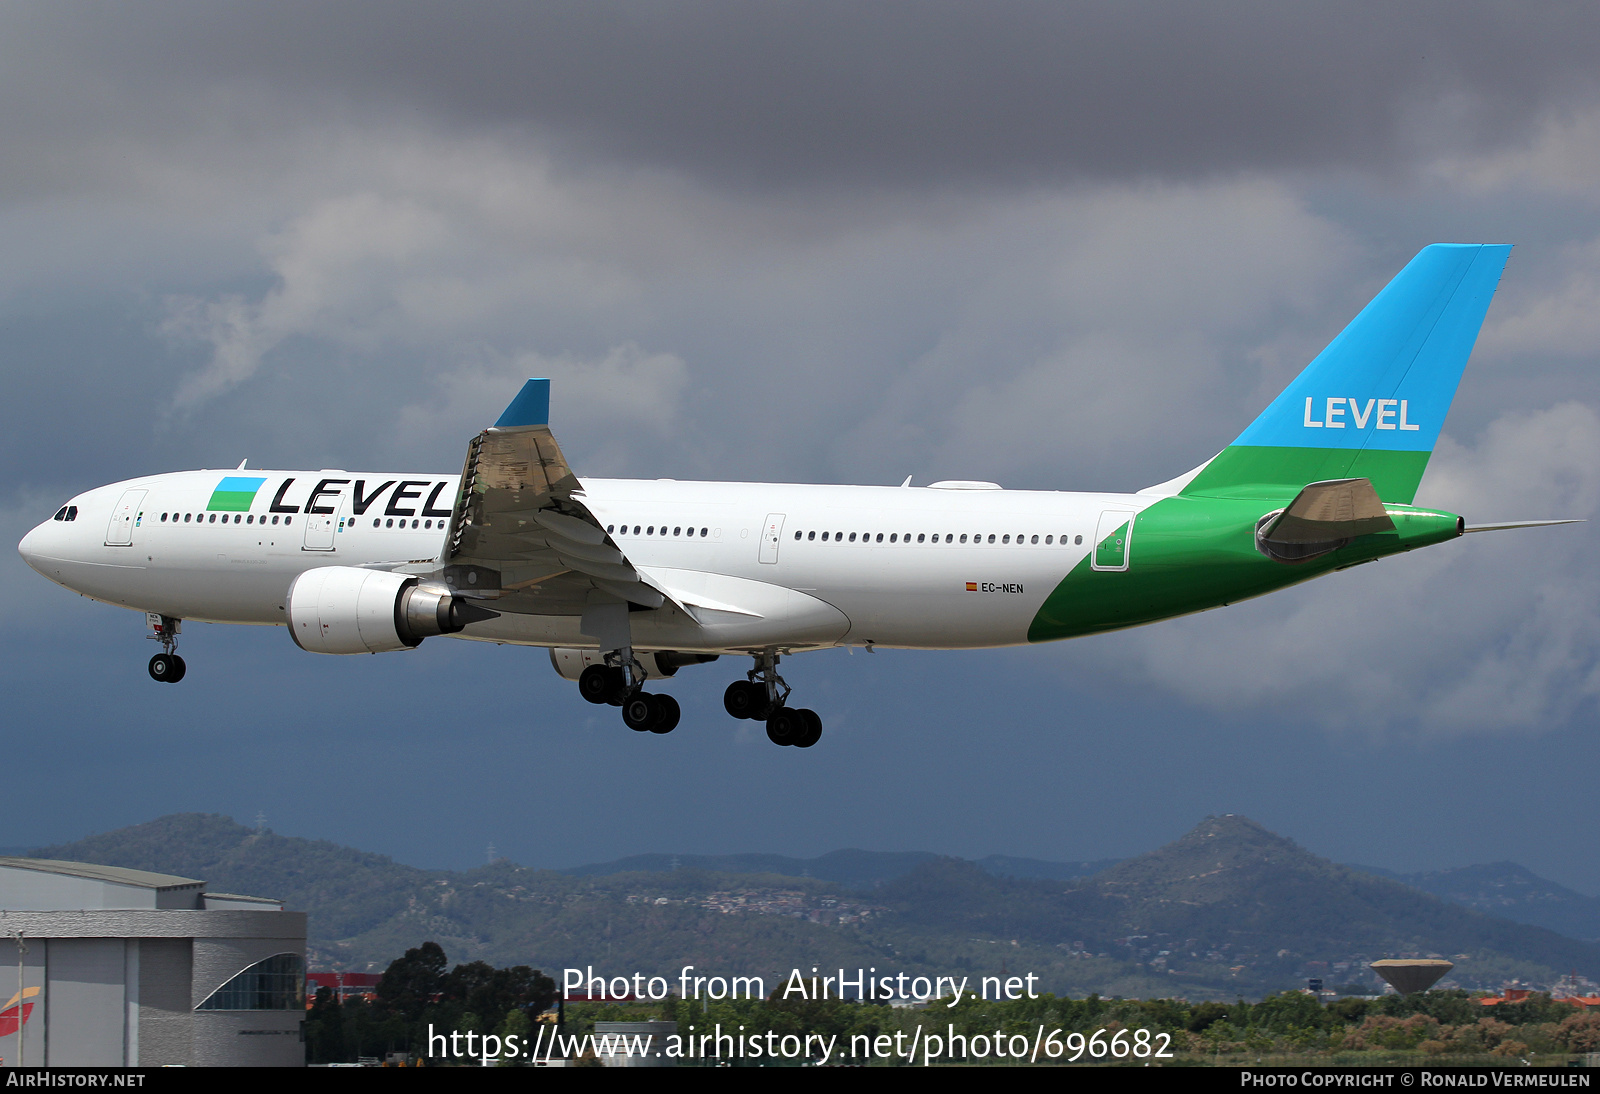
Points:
[(900, 567)]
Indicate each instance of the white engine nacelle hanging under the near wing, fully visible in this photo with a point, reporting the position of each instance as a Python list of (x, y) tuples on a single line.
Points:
[(345, 610)]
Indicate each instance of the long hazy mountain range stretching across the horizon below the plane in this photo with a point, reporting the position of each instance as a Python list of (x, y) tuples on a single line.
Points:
[(1228, 909)]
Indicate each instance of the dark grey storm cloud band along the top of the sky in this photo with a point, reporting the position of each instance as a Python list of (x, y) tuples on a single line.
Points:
[(857, 92)]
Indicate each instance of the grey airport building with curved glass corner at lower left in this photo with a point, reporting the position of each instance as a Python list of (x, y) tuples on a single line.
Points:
[(126, 968)]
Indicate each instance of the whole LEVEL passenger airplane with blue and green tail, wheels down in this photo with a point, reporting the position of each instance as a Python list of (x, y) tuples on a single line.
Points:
[(630, 581)]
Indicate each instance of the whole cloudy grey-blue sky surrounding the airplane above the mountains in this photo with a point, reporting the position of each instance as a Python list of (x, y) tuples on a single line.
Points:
[(1052, 246)]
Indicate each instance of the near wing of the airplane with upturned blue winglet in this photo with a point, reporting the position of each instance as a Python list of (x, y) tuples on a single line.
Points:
[(521, 533)]
